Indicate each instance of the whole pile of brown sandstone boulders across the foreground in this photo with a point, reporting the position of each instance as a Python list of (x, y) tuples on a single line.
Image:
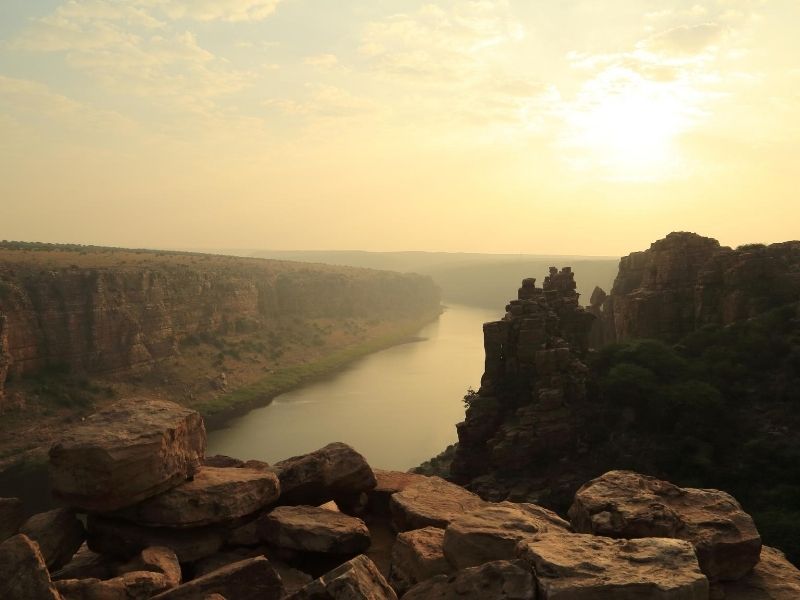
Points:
[(148, 516)]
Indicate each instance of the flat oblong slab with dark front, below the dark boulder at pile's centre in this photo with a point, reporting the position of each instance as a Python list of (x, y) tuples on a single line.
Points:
[(314, 529)]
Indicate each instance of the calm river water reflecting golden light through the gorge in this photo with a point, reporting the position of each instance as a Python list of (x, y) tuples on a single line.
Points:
[(398, 407)]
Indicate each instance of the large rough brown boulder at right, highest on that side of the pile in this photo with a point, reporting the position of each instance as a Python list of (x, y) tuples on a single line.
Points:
[(623, 504)]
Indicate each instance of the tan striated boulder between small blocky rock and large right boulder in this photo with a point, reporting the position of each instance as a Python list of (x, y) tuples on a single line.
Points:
[(493, 531)]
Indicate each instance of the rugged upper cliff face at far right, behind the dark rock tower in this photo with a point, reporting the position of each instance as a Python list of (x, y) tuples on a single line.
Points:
[(686, 281)]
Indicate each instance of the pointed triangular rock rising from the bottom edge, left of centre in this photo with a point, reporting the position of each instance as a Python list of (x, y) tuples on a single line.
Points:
[(357, 579)]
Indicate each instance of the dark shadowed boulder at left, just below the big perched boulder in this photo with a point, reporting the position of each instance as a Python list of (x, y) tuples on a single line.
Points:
[(59, 534)]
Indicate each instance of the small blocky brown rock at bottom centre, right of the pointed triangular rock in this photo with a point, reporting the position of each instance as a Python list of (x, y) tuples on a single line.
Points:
[(417, 555)]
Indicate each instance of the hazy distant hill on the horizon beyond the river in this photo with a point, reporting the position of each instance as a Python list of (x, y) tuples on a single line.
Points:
[(467, 278)]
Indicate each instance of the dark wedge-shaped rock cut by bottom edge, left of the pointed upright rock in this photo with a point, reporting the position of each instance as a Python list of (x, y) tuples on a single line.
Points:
[(251, 579)]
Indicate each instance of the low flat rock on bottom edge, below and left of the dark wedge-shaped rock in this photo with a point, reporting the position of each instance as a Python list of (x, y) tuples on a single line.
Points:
[(136, 585)]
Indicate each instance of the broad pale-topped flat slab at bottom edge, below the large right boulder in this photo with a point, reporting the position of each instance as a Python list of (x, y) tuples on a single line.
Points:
[(577, 566)]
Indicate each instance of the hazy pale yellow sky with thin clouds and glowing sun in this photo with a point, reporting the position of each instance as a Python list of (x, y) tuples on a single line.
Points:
[(543, 126)]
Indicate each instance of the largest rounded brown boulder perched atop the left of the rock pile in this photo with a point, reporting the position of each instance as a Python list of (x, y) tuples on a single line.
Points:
[(126, 453)]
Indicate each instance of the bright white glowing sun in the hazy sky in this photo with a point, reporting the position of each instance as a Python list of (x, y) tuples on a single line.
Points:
[(629, 131)]
